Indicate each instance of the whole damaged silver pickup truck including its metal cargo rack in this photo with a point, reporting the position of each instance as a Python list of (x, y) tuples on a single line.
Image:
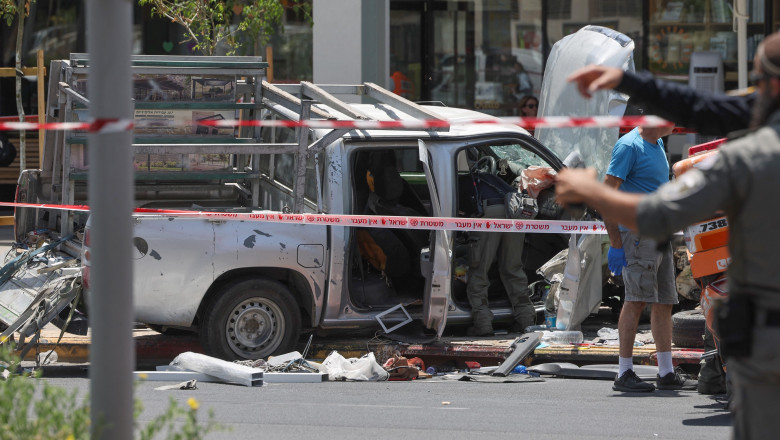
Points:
[(249, 288)]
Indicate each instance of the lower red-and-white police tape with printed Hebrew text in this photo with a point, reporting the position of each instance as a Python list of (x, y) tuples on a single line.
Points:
[(364, 221)]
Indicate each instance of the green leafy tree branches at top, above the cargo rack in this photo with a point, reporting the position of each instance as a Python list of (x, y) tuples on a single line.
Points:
[(211, 22)]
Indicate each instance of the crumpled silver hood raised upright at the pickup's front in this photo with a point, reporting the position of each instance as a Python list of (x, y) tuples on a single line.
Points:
[(589, 45)]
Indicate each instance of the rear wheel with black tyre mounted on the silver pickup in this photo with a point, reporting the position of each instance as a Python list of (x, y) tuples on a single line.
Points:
[(250, 318)]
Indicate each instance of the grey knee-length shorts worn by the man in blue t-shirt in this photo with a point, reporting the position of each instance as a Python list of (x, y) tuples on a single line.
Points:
[(649, 275)]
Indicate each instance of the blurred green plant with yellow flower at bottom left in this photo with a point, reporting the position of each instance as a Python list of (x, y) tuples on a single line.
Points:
[(32, 409)]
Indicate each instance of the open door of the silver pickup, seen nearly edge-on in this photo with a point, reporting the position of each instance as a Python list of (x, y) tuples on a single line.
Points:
[(438, 281)]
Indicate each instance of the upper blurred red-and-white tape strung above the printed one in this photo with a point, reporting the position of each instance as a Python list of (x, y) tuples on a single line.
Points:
[(117, 125)]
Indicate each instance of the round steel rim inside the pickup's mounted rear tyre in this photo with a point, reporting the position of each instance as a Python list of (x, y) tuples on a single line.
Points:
[(255, 325)]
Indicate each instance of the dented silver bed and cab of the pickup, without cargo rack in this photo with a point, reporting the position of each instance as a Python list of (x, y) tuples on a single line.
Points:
[(249, 287)]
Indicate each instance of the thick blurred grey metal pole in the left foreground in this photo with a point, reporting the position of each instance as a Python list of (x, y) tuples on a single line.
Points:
[(112, 354)]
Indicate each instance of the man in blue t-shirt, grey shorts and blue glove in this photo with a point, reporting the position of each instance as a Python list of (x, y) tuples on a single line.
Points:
[(639, 165)]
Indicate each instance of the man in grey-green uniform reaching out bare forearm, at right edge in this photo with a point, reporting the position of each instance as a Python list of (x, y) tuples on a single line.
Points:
[(741, 180)]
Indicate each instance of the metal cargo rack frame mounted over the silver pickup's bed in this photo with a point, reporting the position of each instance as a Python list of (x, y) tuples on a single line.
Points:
[(169, 157)]
